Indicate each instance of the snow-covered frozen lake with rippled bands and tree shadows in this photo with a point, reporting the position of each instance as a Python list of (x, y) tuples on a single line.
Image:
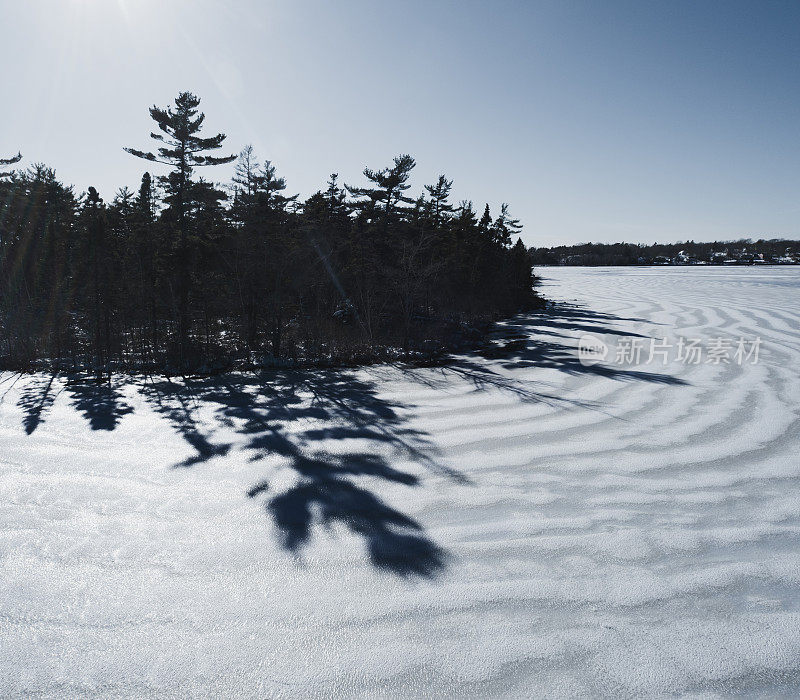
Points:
[(517, 524)]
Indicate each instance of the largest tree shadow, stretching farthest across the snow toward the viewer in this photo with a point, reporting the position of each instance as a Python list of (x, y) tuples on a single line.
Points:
[(330, 486)]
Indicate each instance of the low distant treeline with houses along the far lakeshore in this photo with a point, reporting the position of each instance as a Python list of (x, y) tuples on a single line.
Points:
[(743, 250)]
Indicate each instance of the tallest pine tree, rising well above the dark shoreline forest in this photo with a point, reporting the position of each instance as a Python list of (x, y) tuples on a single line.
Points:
[(184, 150)]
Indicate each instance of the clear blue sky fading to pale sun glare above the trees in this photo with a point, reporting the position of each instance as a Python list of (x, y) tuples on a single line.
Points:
[(604, 121)]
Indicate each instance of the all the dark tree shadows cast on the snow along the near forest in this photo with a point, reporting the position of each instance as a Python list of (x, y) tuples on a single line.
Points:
[(339, 436)]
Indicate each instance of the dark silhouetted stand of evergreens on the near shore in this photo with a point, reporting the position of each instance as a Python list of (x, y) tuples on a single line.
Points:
[(183, 274)]
